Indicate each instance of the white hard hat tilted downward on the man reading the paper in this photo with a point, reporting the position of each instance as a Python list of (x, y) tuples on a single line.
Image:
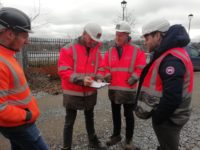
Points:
[(94, 30)]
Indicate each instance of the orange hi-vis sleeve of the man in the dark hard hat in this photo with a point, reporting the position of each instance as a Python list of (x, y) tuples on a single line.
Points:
[(8, 113)]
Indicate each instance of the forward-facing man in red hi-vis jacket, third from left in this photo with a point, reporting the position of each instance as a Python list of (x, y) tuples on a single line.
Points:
[(124, 63)]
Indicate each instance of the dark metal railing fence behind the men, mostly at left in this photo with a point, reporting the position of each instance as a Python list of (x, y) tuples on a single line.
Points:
[(44, 51)]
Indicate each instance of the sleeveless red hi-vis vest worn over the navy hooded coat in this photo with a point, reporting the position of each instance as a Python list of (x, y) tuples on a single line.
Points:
[(152, 88)]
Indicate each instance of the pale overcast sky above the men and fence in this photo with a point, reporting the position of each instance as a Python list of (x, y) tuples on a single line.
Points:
[(66, 18)]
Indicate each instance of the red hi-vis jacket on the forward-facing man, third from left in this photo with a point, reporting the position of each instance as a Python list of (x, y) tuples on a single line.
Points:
[(130, 64)]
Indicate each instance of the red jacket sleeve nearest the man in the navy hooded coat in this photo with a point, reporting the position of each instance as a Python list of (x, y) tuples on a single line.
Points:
[(140, 63)]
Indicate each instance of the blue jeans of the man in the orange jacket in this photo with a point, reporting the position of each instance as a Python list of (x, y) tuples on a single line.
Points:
[(26, 138)]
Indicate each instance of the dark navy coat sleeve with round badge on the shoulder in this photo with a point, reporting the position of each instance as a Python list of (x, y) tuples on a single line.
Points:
[(172, 72)]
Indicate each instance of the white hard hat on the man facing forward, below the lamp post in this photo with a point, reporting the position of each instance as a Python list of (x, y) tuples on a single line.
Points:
[(123, 26)]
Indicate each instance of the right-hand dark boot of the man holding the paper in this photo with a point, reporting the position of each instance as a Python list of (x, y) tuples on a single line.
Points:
[(95, 143)]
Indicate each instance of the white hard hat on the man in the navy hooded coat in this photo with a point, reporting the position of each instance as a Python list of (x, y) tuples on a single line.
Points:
[(160, 24)]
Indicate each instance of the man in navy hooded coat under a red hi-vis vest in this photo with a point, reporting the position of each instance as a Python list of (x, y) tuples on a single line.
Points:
[(166, 83)]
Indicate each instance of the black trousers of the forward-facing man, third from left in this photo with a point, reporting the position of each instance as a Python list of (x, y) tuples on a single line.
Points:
[(128, 114)]
